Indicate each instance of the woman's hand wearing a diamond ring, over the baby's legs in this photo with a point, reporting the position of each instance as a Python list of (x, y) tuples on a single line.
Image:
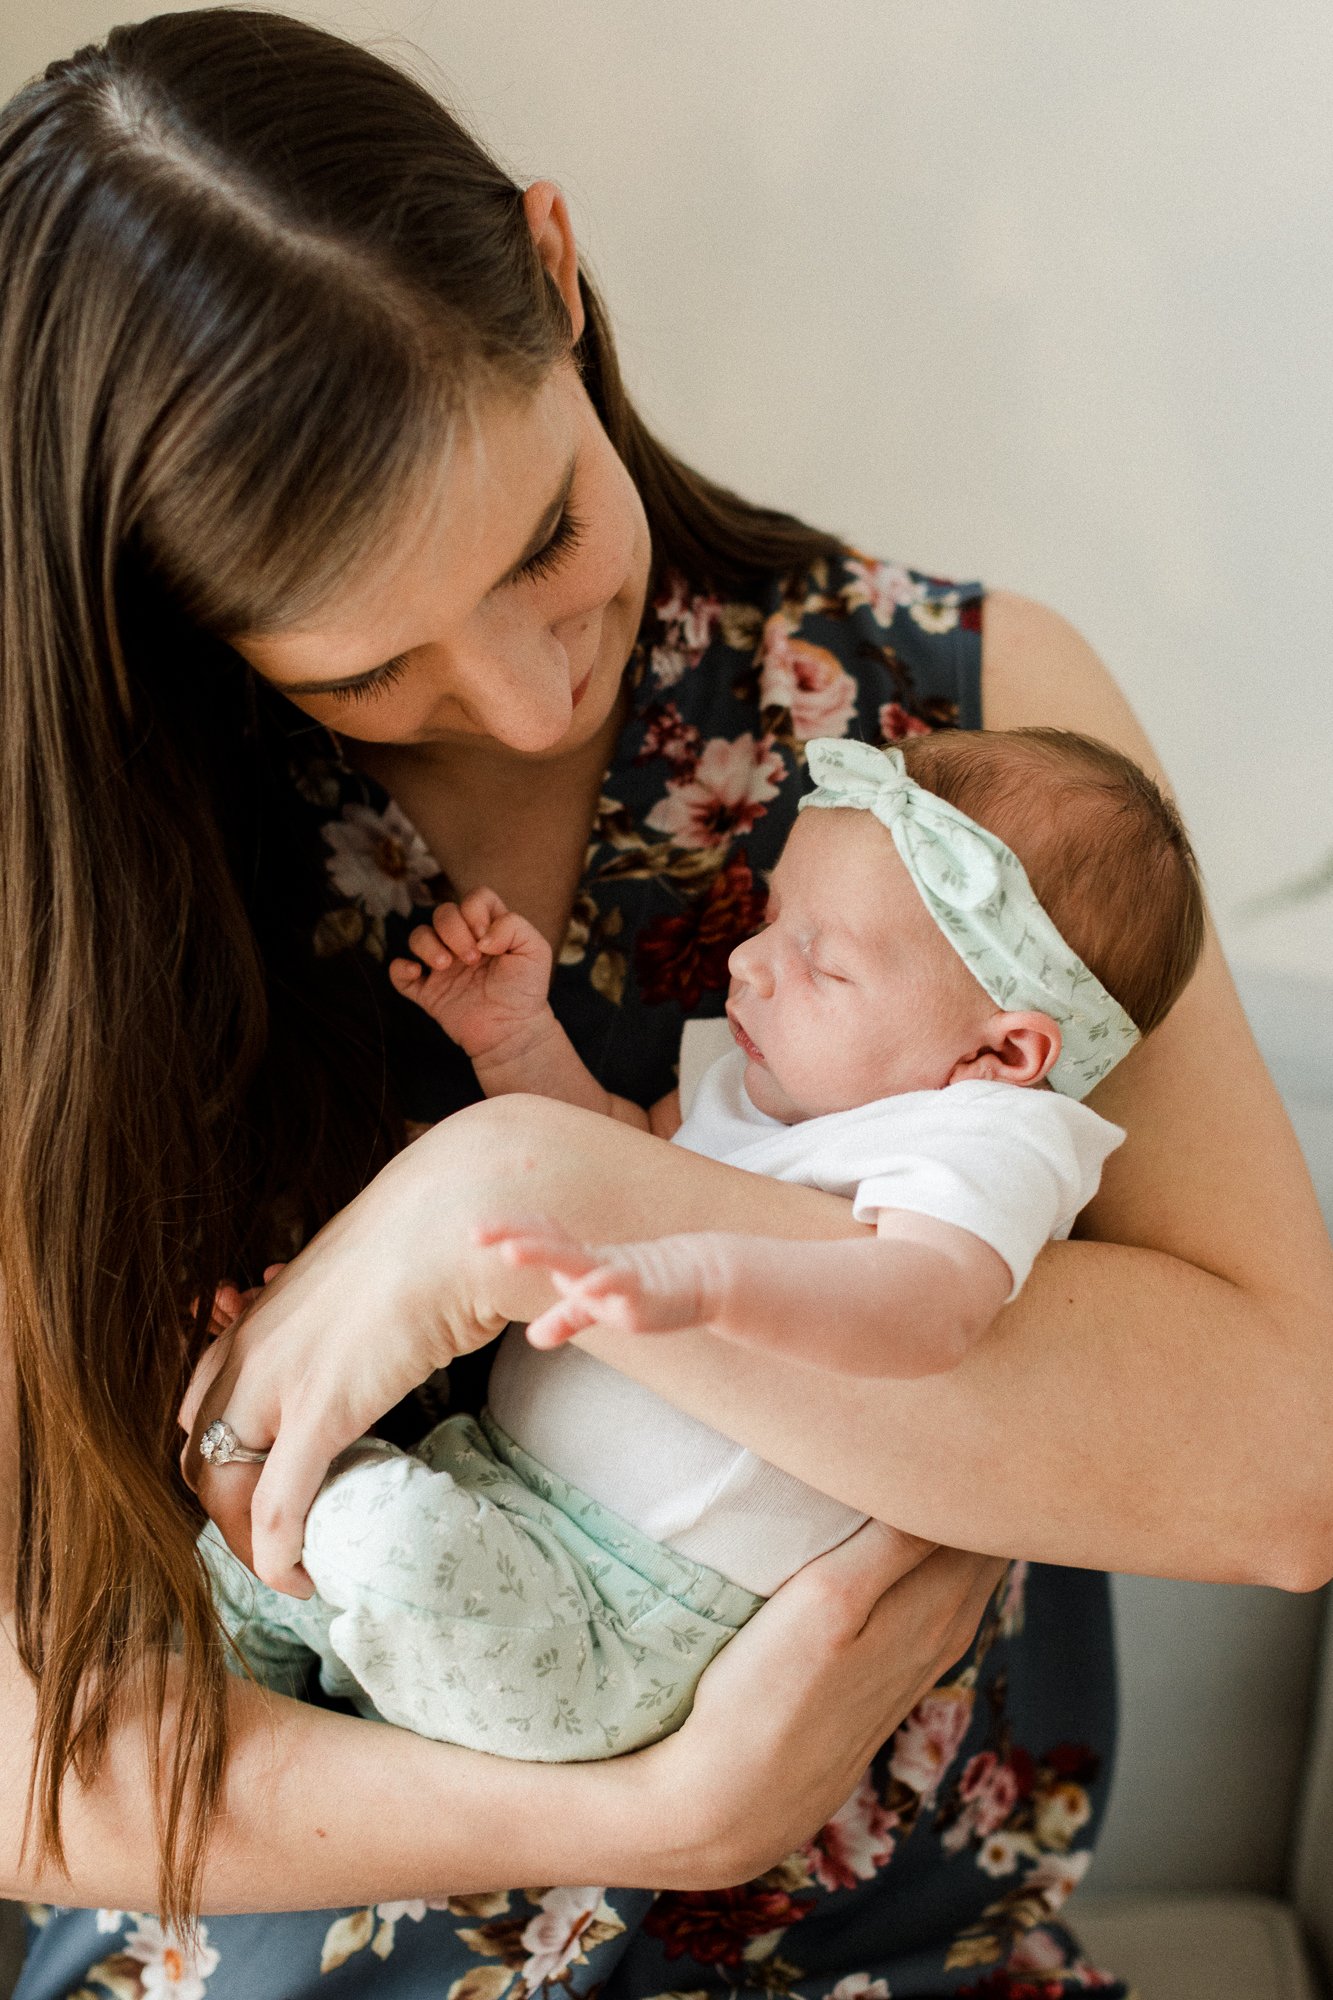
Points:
[(387, 1293)]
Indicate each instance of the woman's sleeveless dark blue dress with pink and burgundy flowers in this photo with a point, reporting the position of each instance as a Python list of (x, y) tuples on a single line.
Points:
[(946, 1871)]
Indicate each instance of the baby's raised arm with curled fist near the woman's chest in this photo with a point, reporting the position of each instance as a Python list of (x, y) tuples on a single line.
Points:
[(483, 975)]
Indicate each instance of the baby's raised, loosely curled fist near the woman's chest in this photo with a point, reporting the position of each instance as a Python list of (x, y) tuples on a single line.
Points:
[(481, 973)]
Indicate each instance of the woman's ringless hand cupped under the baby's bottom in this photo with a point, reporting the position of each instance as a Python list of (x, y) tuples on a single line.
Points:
[(842, 1655)]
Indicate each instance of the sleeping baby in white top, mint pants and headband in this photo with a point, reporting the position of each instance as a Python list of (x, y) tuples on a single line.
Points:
[(916, 1027)]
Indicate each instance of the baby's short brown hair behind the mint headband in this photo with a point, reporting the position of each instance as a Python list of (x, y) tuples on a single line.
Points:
[(1104, 847)]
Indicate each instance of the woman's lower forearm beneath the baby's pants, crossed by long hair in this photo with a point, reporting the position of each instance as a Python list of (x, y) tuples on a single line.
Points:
[(323, 1811)]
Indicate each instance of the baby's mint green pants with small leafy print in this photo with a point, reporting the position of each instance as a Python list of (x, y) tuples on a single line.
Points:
[(469, 1595)]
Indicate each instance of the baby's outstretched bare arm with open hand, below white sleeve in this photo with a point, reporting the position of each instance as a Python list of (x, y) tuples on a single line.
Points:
[(908, 1301)]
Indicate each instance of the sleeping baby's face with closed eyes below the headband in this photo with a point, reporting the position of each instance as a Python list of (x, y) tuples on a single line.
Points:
[(850, 993)]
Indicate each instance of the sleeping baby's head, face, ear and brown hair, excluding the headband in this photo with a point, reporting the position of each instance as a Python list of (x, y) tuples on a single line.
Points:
[(854, 991)]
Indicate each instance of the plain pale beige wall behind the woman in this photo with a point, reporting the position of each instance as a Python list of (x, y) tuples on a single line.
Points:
[(1034, 291)]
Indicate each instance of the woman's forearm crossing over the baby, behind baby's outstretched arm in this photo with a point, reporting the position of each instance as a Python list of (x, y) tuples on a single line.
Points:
[(1130, 1411)]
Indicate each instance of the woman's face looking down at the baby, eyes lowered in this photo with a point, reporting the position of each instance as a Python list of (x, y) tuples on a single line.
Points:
[(505, 609)]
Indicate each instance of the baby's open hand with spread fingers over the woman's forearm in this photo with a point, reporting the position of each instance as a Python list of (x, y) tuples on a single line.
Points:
[(635, 1289)]
